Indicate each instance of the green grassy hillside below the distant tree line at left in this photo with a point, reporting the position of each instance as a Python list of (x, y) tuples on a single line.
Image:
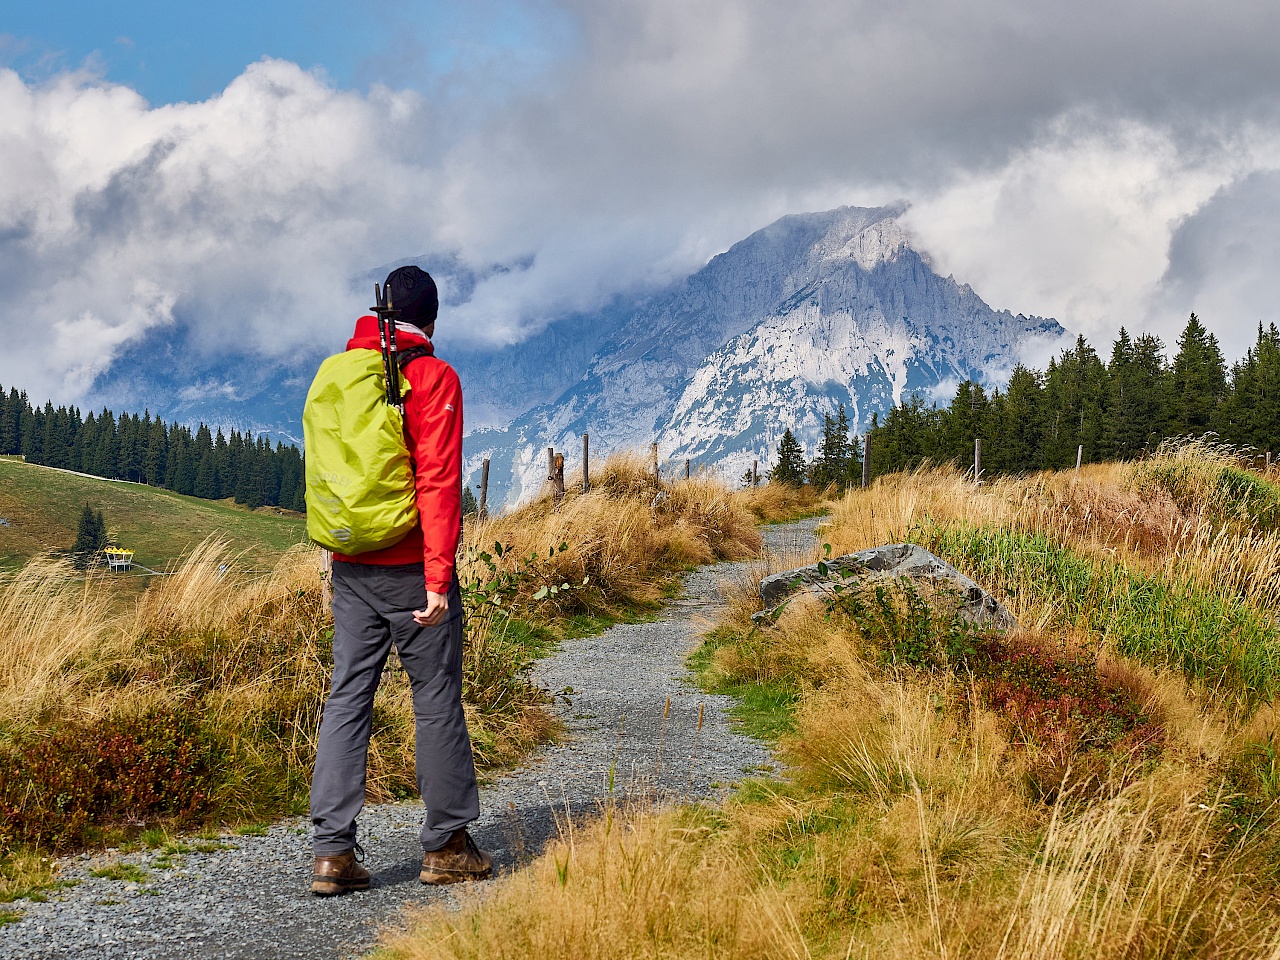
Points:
[(43, 508)]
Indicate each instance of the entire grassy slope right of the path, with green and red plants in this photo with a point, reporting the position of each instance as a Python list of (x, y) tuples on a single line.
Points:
[(1100, 784)]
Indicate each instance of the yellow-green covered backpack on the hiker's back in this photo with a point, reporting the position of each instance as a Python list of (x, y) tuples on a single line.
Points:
[(359, 476)]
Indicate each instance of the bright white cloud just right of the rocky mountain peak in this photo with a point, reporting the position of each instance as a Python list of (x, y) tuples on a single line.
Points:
[(1078, 225)]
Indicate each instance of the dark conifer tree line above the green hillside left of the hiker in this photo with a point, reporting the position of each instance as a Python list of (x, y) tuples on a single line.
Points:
[(196, 463)]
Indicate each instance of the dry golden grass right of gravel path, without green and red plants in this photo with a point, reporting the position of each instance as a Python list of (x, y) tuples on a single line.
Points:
[(907, 826)]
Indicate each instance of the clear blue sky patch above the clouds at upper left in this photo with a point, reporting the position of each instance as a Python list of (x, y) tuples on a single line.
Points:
[(186, 52)]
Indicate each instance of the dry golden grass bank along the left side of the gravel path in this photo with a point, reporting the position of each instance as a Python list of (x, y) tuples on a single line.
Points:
[(235, 665)]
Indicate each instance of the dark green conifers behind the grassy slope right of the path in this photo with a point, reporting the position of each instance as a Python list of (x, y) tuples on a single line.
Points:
[(1114, 410)]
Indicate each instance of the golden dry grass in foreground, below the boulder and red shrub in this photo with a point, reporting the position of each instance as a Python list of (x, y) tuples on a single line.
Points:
[(904, 831)]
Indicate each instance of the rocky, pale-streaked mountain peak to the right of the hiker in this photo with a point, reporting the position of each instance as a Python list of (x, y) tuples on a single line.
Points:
[(808, 313)]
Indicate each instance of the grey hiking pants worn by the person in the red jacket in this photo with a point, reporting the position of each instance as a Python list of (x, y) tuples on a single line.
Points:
[(373, 609)]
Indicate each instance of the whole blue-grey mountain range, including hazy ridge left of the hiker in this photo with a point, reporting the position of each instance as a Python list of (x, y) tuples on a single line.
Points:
[(807, 313)]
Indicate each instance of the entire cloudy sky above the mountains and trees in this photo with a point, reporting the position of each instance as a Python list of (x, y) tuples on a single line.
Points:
[(235, 171)]
